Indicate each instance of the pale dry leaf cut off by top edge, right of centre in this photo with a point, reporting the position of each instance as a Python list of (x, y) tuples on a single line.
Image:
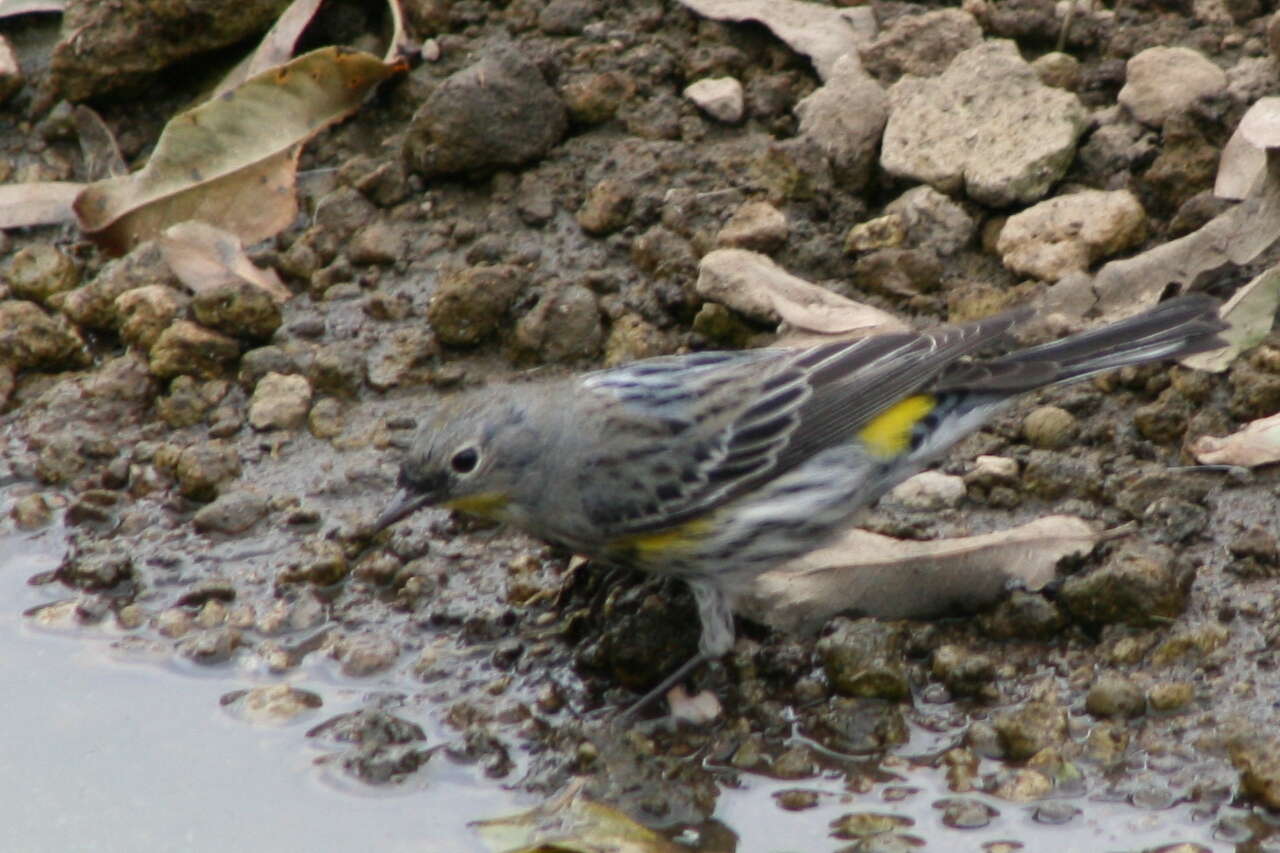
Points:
[(822, 34)]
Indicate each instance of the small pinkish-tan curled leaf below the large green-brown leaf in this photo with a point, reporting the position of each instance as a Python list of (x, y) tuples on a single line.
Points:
[(204, 258)]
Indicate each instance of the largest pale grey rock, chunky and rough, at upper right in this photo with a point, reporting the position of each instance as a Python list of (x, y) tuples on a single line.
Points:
[(988, 126)]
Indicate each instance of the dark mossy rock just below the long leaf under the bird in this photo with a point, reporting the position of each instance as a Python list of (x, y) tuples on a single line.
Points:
[(863, 659)]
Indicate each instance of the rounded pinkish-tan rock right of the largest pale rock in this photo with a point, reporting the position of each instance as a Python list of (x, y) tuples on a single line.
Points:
[(1164, 81)]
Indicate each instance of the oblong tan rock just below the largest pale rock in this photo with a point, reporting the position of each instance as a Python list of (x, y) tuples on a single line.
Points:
[(1069, 234)]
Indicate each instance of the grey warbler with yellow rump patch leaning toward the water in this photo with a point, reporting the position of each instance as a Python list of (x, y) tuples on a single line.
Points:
[(717, 467)]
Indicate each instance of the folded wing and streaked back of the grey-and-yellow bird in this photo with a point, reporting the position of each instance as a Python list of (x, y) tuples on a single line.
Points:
[(694, 432)]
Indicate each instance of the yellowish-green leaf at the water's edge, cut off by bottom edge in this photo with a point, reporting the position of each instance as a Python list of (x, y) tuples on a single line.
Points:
[(570, 823)]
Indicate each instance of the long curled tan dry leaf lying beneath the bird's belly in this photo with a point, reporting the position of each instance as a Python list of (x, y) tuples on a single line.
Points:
[(889, 578)]
